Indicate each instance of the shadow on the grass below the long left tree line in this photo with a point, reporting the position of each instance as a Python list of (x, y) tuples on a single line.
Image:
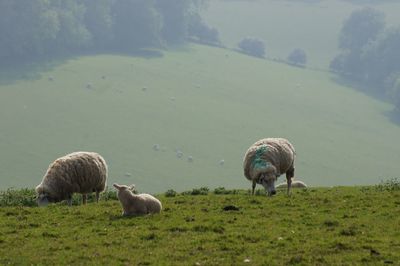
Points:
[(28, 69)]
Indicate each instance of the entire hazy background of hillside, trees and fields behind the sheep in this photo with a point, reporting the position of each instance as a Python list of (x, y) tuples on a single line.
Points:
[(172, 93)]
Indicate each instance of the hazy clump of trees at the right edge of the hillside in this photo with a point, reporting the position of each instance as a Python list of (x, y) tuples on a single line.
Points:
[(370, 54)]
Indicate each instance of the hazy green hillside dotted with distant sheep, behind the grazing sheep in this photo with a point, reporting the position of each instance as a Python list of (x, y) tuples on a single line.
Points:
[(210, 103)]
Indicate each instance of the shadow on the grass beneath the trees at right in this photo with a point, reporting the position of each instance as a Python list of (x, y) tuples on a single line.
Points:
[(393, 115)]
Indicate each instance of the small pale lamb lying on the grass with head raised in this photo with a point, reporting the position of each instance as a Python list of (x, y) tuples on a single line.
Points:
[(136, 204)]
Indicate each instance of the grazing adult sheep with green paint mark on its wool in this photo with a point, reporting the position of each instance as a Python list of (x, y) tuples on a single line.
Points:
[(266, 160)]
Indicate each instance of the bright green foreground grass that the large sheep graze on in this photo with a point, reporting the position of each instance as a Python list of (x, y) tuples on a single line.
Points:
[(324, 226)]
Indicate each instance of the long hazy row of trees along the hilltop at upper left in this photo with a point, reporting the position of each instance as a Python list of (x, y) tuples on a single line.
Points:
[(38, 27)]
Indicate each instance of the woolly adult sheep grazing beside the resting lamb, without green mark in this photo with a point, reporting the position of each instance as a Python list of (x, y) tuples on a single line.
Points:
[(78, 172)]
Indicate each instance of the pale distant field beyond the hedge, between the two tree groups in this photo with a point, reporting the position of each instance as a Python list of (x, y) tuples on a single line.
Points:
[(286, 25)]
